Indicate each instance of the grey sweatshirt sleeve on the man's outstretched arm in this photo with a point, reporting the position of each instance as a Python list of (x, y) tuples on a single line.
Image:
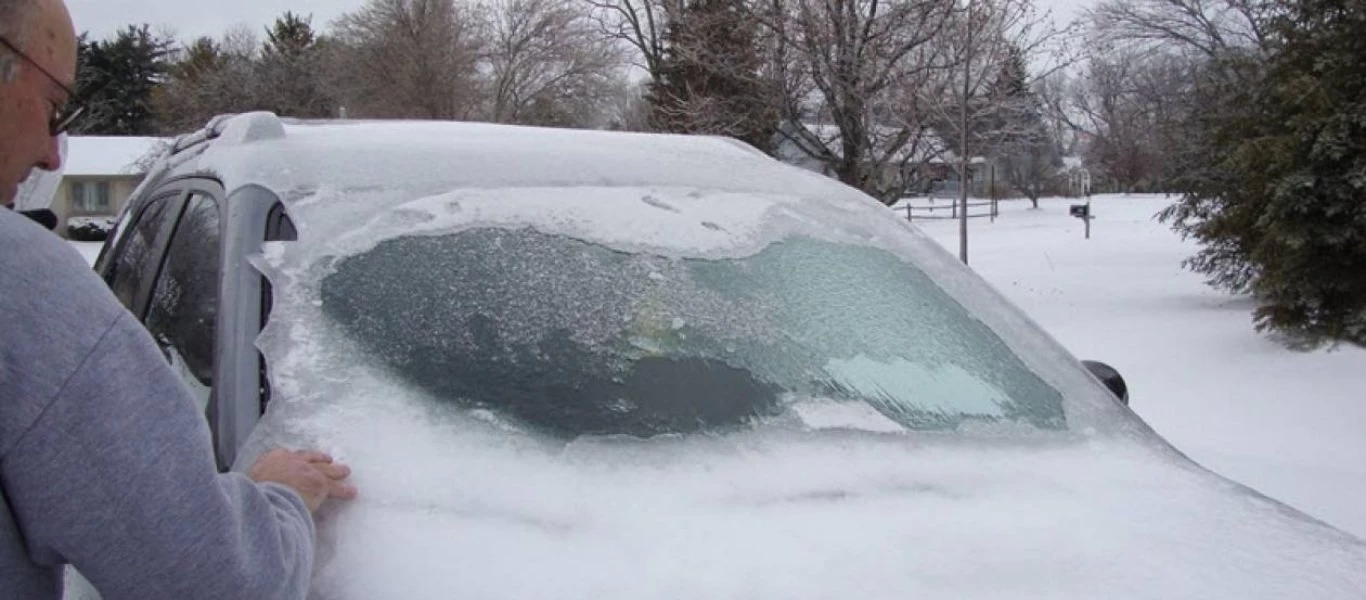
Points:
[(117, 478)]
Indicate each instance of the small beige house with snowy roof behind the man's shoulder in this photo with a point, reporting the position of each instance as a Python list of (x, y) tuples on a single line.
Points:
[(99, 176)]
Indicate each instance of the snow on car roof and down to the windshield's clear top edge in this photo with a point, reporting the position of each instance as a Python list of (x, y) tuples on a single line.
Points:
[(677, 195)]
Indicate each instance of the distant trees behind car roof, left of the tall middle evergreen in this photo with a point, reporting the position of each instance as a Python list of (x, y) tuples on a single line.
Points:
[(529, 62)]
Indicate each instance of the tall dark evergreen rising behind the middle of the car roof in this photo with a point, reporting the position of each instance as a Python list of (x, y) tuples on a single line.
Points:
[(711, 77)]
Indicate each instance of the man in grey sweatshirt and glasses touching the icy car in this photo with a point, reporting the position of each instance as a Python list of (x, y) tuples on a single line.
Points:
[(104, 460)]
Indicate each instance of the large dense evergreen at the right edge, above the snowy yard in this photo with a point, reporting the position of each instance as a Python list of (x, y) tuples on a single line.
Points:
[(1277, 187)]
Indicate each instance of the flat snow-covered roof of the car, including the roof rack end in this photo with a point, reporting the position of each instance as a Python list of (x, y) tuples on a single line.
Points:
[(294, 158)]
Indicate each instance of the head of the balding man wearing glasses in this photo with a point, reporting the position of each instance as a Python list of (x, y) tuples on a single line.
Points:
[(35, 81)]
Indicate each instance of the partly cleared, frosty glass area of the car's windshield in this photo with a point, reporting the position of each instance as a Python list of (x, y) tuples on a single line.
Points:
[(572, 338)]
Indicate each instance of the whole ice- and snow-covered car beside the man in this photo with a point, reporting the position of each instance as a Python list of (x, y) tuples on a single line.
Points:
[(607, 366)]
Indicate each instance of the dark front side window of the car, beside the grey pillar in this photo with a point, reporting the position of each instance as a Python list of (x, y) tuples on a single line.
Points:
[(185, 301)]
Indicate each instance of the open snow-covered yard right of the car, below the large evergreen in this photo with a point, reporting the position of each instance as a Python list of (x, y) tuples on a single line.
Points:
[(1289, 424)]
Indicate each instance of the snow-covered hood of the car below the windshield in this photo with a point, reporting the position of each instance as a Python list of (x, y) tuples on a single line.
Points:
[(782, 513)]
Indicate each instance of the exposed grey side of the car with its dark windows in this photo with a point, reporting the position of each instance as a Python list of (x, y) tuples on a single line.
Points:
[(199, 296)]
